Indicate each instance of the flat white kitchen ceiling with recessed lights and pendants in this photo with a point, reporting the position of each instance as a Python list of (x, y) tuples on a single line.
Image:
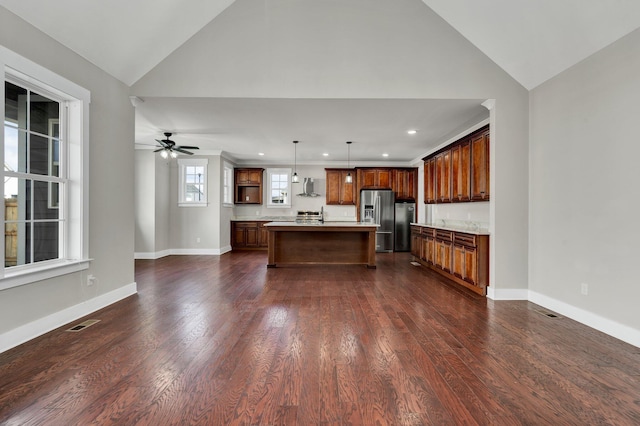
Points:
[(244, 127)]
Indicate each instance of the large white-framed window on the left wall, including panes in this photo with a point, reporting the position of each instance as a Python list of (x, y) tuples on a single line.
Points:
[(45, 214)]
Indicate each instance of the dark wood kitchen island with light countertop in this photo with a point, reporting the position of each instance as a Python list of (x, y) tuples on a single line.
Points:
[(351, 243)]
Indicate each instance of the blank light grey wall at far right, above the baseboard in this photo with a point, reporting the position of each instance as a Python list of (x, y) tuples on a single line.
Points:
[(584, 197)]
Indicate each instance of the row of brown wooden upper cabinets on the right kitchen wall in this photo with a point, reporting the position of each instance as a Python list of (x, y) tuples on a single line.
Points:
[(459, 172)]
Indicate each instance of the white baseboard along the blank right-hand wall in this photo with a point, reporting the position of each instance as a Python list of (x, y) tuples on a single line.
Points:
[(607, 326)]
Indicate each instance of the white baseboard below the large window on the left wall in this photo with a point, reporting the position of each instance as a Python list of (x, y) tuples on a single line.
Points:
[(36, 328)]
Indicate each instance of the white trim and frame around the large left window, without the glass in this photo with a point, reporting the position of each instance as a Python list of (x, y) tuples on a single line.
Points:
[(76, 251)]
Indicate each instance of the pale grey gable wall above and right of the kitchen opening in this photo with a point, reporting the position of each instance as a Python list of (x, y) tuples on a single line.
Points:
[(363, 49)]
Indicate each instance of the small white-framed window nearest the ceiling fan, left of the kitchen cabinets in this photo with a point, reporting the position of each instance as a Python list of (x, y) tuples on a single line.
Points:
[(193, 182)]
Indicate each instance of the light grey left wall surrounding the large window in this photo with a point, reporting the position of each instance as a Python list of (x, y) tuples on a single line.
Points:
[(31, 309)]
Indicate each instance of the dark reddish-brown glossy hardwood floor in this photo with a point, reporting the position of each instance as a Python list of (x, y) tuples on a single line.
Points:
[(224, 340)]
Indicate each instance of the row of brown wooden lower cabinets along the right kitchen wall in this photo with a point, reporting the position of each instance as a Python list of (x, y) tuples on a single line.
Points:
[(461, 257)]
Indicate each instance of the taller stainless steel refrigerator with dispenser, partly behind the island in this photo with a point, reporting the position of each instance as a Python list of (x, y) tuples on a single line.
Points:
[(376, 206)]
